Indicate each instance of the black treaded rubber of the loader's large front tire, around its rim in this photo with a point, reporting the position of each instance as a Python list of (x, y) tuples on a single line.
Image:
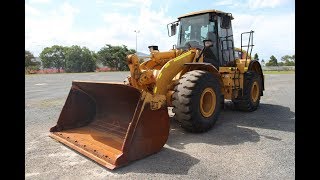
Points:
[(186, 100)]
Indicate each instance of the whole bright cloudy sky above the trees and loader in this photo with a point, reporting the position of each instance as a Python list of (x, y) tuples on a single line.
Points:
[(95, 23)]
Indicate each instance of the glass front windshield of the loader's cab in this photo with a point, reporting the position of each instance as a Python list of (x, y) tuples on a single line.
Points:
[(193, 30)]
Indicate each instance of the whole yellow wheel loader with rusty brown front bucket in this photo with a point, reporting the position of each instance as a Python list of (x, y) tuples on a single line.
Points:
[(116, 123)]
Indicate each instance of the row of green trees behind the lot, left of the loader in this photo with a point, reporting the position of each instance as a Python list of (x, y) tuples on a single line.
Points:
[(79, 59)]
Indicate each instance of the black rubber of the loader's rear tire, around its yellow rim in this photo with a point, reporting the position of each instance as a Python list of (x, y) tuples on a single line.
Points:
[(245, 103)]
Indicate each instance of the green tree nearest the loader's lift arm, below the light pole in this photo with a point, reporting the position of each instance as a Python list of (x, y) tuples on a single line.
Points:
[(114, 56)]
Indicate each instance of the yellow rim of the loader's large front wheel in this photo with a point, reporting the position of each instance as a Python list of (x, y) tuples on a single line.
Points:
[(207, 102)]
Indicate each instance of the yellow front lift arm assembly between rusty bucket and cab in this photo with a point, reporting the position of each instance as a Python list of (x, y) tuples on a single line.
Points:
[(158, 75)]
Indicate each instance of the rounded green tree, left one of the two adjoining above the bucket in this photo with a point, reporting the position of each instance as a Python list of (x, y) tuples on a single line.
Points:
[(54, 57)]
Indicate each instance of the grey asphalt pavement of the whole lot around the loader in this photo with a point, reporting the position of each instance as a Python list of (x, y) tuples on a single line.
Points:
[(256, 145)]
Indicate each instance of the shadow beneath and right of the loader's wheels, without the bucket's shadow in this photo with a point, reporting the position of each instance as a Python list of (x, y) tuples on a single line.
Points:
[(234, 127)]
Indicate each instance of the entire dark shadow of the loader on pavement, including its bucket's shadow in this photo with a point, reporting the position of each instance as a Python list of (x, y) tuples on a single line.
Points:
[(232, 128)]
